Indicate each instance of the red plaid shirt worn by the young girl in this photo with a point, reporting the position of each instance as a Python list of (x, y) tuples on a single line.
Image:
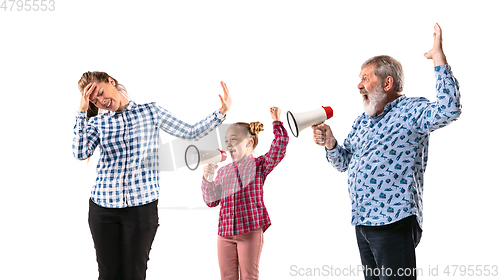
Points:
[(238, 188)]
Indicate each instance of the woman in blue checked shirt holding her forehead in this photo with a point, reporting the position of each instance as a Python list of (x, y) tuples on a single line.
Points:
[(123, 213)]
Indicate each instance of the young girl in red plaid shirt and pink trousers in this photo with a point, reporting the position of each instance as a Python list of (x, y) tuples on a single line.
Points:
[(238, 188)]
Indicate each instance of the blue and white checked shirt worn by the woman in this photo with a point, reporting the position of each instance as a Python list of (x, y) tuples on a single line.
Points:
[(127, 171)]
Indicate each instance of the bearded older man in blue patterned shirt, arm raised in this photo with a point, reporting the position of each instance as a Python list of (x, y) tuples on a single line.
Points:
[(385, 155)]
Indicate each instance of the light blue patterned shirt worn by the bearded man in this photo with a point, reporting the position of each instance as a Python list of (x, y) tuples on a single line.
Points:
[(386, 156)]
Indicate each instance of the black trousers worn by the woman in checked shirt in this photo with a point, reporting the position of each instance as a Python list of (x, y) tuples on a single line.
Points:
[(123, 239)]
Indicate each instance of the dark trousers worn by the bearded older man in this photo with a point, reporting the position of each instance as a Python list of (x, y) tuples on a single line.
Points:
[(388, 252)]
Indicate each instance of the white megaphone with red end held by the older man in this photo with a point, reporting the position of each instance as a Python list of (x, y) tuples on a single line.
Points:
[(298, 121)]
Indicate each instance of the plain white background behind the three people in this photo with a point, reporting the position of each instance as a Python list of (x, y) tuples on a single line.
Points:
[(297, 55)]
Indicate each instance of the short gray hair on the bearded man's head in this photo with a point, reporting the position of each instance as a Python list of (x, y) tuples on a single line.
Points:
[(387, 66)]
